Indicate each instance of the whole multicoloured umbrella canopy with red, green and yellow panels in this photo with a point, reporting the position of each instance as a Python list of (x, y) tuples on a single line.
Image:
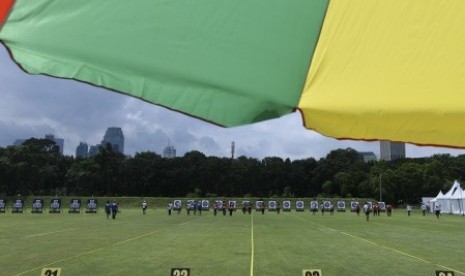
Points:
[(368, 70)]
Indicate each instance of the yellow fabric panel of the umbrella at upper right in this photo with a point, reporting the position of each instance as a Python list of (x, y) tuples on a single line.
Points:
[(389, 70)]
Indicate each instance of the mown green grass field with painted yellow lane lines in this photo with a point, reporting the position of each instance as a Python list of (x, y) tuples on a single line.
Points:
[(269, 244)]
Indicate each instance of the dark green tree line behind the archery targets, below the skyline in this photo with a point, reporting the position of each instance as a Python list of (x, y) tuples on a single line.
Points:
[(38, 168)]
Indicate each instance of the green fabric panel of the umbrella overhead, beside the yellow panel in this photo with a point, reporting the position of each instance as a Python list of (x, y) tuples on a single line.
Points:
[(227, 62)]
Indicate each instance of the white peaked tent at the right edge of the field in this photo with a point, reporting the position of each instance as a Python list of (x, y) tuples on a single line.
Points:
[(452, 202)]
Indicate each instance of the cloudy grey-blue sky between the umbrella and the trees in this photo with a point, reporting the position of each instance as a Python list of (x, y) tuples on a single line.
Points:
[(32, 106)]
